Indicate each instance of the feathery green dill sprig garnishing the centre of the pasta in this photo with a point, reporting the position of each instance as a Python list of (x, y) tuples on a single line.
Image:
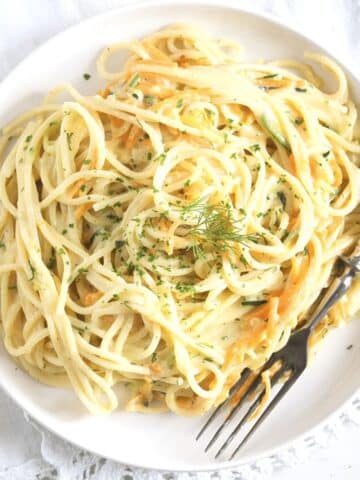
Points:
[(216, 228)]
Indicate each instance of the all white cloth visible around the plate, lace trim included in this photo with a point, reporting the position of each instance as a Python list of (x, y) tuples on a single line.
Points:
[(27, 454)]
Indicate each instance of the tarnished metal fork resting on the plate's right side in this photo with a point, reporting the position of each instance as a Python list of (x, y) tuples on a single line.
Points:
[(293, 361)]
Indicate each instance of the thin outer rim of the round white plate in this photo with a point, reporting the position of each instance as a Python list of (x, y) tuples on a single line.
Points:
[(277, 22)]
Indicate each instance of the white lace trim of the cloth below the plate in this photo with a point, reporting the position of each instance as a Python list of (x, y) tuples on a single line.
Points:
[(62, 461)]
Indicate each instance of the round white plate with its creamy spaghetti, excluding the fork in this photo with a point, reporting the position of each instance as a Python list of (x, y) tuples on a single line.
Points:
[(174, 196)]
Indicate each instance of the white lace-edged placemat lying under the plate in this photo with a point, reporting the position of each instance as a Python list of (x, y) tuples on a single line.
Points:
[(28, 452)]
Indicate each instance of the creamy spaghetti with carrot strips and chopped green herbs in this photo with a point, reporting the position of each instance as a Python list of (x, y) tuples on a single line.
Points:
[(173, 229)]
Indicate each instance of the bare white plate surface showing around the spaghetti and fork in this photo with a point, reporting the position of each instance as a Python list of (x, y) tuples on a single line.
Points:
[(165, 441)]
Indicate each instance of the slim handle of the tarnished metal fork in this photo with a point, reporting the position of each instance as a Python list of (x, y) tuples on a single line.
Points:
[(336, 290)]
